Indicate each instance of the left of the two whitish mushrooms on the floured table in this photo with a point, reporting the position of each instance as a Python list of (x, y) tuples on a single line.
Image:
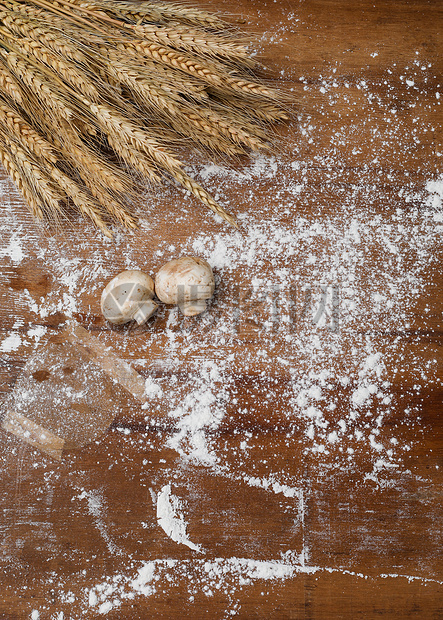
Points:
[(128, 297)]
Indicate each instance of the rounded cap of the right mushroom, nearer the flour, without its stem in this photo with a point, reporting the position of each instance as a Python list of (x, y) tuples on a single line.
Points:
[(188, 278)]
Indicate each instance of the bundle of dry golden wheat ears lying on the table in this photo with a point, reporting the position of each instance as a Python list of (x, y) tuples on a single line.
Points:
[(95, 95)]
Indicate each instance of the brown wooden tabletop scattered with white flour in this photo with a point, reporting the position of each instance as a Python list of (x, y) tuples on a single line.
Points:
[(294, 429)]
